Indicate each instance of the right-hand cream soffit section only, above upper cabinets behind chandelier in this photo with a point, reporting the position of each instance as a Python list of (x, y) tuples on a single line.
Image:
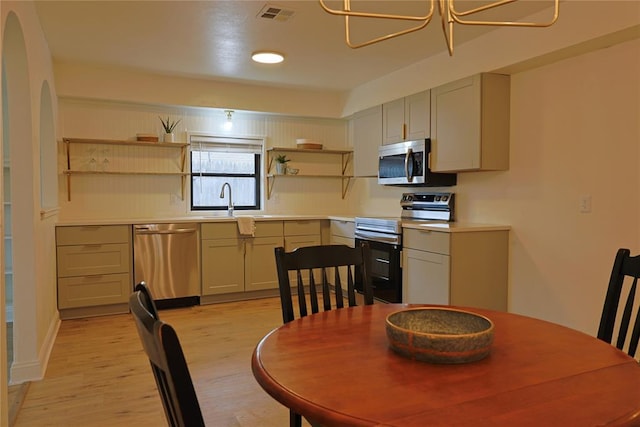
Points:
[(582, 25)]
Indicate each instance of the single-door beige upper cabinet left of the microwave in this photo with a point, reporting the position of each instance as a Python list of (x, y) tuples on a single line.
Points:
[(367, 137)]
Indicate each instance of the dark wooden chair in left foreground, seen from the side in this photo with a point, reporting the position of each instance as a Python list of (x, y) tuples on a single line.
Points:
[(169, 367)]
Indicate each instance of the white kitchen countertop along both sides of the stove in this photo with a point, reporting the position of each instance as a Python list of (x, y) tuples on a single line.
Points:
[(447, 227)]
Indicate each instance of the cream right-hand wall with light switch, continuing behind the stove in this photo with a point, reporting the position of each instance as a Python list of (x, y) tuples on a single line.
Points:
[(575, 131)]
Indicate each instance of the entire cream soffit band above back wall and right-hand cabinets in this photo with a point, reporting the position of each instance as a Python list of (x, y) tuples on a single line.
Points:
[(580, 21)]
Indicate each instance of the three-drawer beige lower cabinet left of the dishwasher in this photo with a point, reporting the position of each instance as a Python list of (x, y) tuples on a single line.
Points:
[(94, 265)]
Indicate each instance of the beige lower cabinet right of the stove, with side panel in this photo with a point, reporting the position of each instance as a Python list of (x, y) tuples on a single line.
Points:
[(458, 268)]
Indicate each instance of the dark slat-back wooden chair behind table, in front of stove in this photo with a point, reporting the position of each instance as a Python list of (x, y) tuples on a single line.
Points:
[(318, 261)]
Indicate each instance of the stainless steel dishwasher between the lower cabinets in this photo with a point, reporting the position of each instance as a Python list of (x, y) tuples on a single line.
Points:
[(167, 258)]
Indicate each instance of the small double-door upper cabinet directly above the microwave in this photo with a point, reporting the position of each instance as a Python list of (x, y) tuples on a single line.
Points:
[(406, 119)]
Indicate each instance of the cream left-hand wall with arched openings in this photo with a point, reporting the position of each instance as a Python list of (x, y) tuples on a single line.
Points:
[(35, 306)]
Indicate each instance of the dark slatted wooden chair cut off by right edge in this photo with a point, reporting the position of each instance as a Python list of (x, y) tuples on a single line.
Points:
[(622, 289)]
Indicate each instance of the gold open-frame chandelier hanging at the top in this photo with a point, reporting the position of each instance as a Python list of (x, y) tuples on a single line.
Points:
[(448, 13)]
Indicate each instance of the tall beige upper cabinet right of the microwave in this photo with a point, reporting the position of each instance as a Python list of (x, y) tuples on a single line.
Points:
[(470, 124)]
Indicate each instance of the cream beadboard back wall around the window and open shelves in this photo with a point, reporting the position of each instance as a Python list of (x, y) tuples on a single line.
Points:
[(97, 197)]
